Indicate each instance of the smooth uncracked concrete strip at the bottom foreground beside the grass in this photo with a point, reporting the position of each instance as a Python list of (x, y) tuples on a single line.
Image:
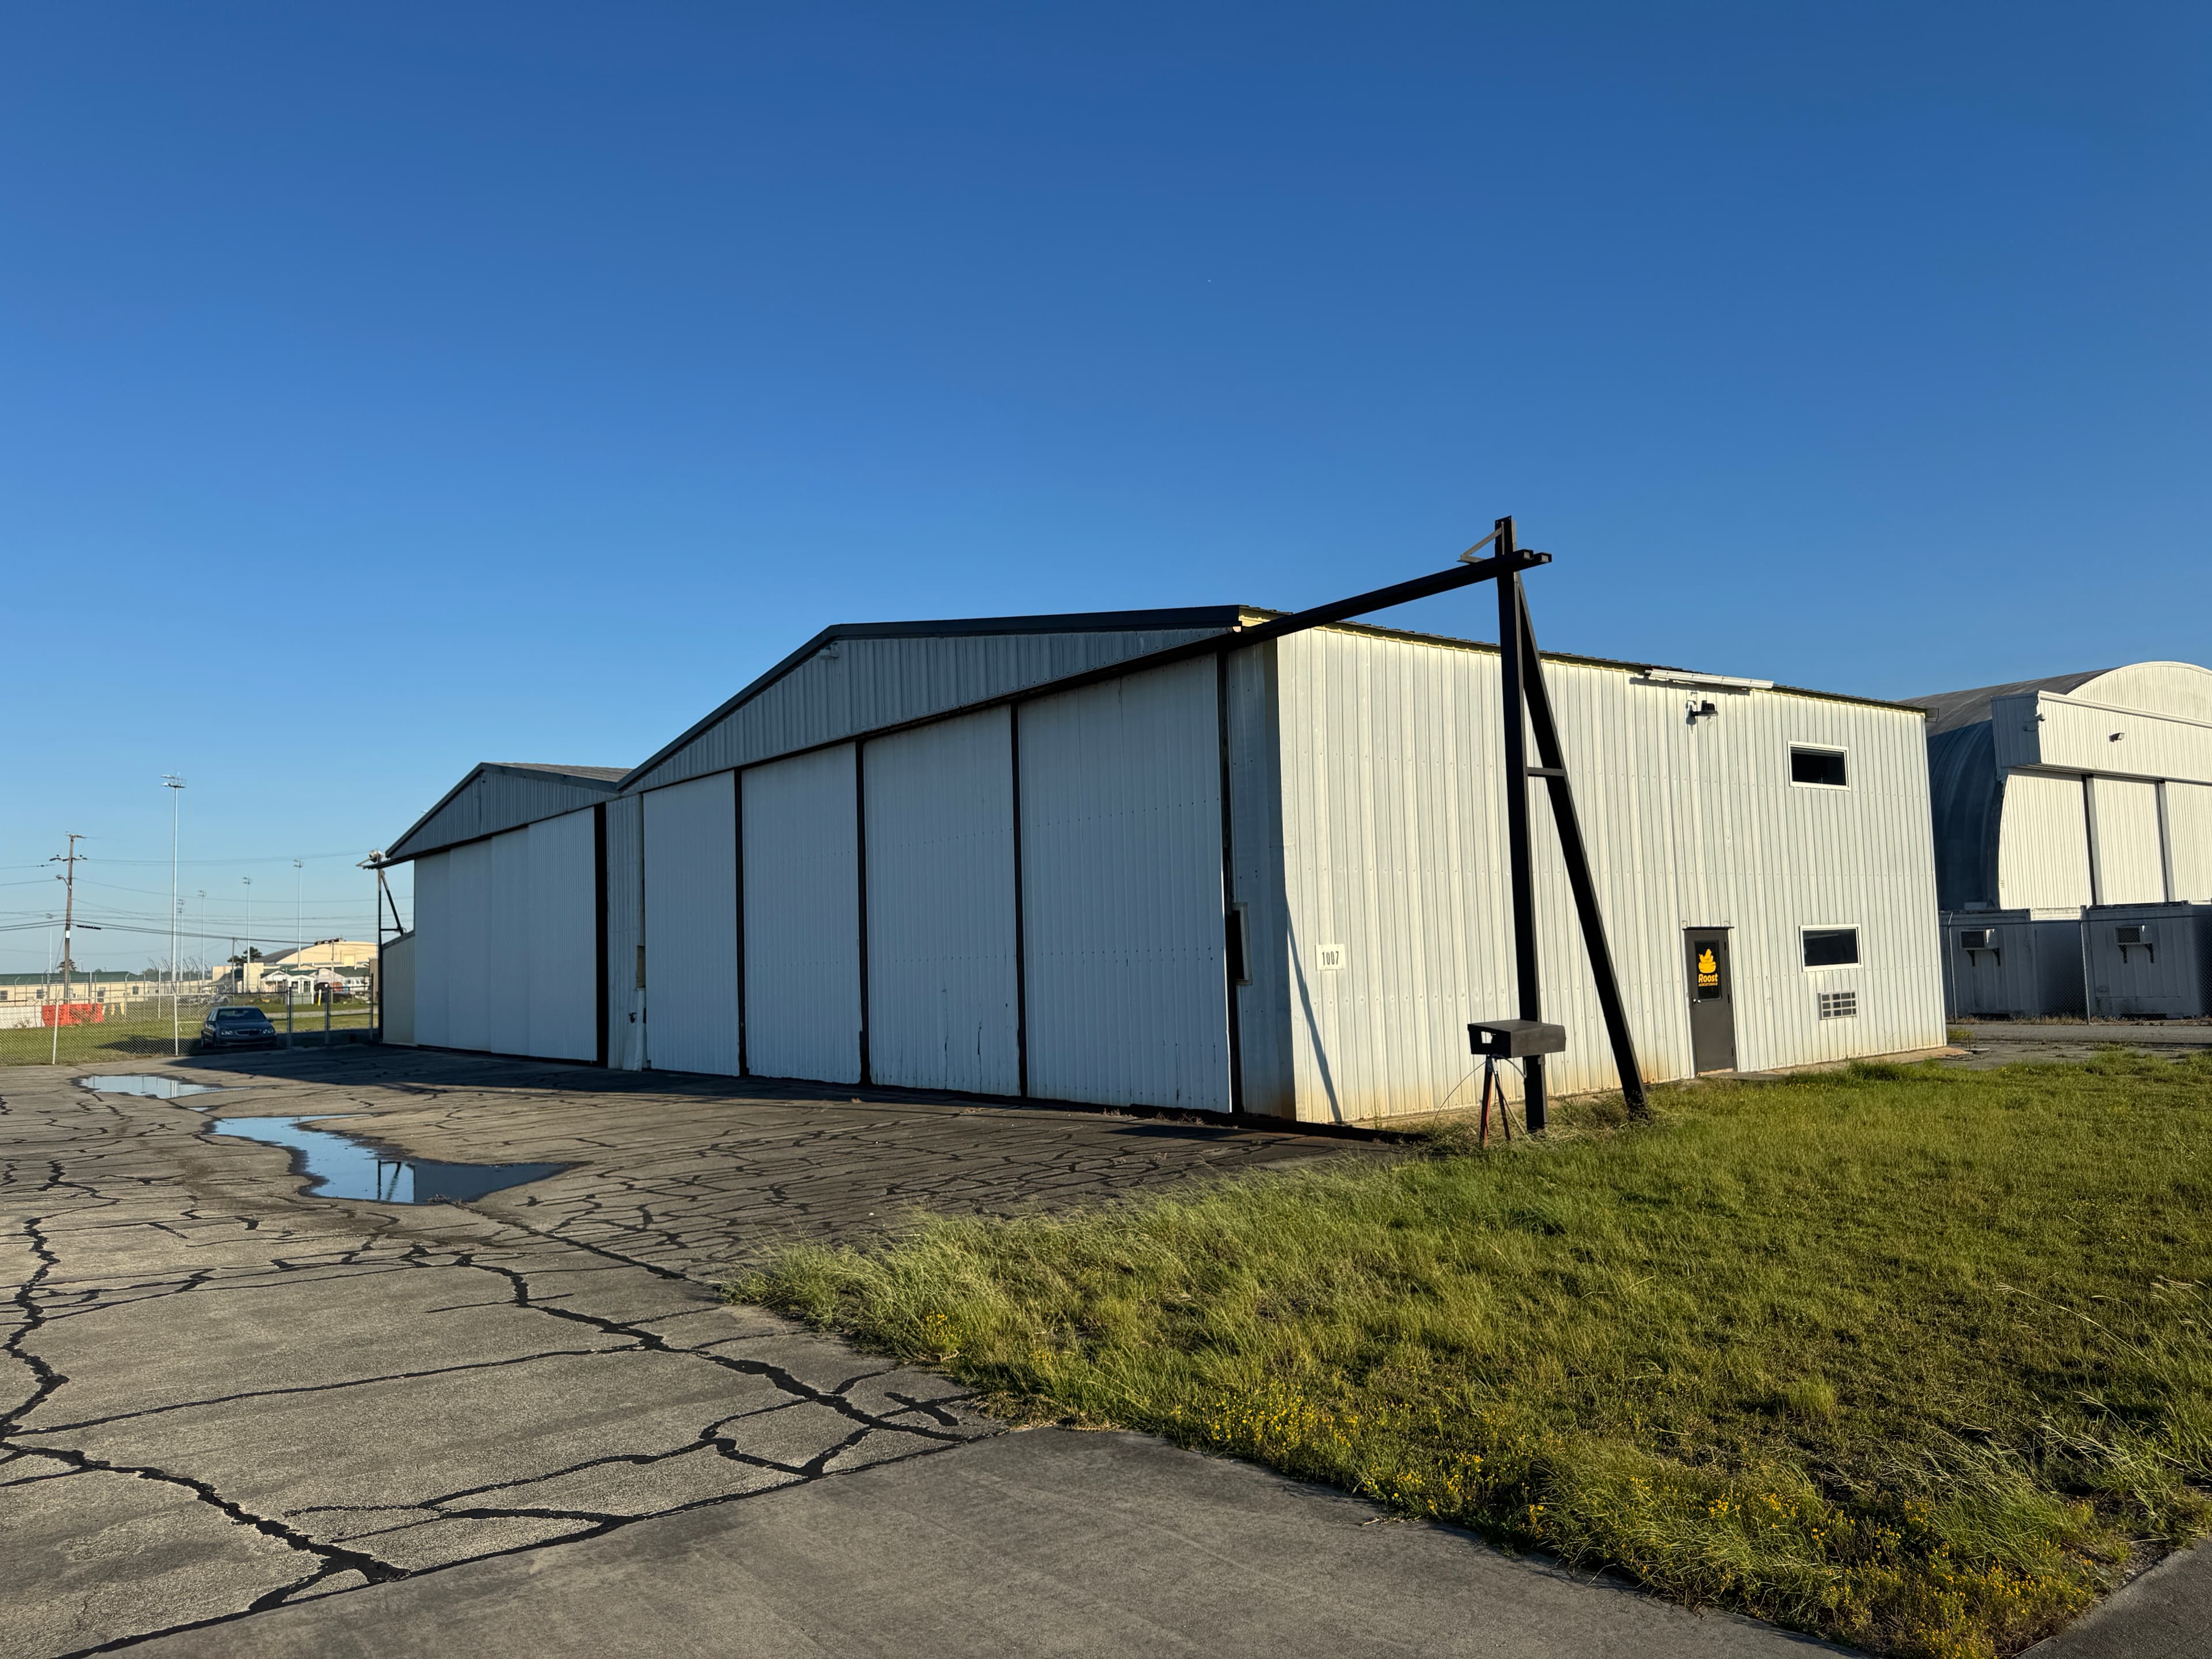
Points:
[(1043, 1543)]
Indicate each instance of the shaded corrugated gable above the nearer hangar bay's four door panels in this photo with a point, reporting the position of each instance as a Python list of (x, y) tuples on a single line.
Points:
[(864, 685)]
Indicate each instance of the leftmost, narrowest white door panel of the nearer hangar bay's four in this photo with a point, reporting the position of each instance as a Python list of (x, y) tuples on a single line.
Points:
[(691, 926)]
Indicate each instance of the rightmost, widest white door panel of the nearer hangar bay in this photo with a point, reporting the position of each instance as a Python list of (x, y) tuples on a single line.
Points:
[(1123, 893)]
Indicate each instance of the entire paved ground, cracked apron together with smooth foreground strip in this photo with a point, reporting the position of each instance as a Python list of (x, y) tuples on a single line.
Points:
[(242, 1419)]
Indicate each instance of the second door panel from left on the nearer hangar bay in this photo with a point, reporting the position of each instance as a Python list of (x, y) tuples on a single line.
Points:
[(802, 919)]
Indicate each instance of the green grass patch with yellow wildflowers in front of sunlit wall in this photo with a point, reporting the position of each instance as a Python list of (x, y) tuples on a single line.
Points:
[(1908, 1357)]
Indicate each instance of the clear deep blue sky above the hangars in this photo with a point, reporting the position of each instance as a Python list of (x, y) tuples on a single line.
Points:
[(390, 388)]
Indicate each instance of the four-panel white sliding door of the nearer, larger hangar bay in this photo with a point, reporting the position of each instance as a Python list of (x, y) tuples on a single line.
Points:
[(1023, 901)]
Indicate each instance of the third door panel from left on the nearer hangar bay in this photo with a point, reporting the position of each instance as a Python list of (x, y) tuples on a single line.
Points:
[(941, 959)]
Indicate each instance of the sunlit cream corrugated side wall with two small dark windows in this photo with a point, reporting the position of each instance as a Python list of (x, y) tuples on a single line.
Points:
[(1395, 826)]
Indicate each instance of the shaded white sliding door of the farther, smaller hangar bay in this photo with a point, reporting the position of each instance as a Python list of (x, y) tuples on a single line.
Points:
[(508, 941)]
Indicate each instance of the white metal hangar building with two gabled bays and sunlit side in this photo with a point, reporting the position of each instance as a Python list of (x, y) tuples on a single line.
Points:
[(1123, 859)]
